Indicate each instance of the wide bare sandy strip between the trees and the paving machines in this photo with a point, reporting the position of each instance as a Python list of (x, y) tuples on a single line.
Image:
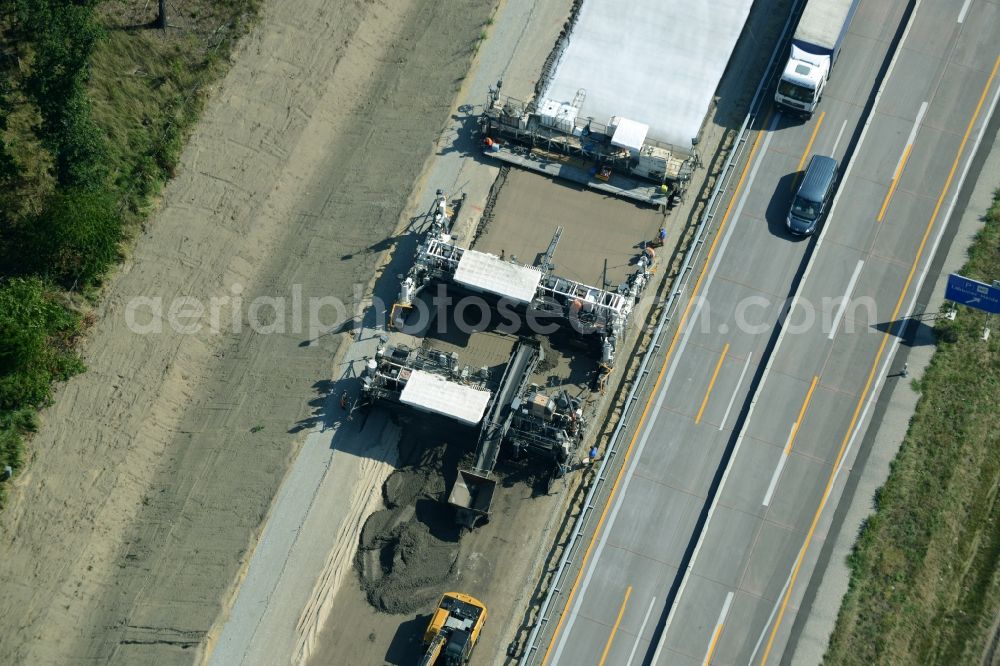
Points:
[(154, 471)]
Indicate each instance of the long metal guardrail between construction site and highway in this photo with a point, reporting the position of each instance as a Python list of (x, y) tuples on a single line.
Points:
[(691, 258)]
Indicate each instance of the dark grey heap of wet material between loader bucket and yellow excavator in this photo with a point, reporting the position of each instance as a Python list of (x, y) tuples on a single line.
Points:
[(407, 552)]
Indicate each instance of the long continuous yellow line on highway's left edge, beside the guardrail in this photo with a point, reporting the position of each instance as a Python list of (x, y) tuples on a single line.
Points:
[(652, 394)]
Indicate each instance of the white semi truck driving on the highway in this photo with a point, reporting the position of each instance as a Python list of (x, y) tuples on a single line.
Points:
[(815, 46)]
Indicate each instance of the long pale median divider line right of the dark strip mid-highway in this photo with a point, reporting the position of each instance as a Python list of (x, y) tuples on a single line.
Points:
[(767, 368)]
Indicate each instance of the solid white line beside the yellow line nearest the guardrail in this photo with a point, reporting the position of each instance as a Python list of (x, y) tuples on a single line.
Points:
[(637, 454)]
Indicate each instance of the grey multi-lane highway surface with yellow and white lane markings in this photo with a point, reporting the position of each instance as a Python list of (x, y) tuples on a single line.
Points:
[(711, 532)]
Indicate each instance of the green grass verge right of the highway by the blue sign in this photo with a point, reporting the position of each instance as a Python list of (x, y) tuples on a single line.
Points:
[(925, 571)]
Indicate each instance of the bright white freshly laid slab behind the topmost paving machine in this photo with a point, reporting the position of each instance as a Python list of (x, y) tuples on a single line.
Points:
[(656, 62)]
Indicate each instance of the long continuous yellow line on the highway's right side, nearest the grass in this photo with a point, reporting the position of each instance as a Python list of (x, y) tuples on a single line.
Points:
[(874, 368)]
